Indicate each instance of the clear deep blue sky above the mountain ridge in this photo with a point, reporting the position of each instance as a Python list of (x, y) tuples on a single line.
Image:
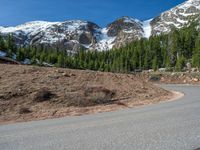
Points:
[(102, 12)]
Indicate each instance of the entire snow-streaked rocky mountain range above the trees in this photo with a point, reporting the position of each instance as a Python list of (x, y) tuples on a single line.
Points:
[(75, 34)]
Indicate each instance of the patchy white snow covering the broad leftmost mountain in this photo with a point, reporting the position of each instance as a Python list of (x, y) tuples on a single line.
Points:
[(47, 30)]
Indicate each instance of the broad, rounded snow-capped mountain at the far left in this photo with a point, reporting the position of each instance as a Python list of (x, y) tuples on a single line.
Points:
[(71, 35)]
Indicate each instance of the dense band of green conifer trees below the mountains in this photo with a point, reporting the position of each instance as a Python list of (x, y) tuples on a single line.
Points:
[(171, 51)]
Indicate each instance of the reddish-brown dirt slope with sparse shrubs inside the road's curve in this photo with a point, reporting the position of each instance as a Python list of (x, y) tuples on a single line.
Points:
[(32, 93)]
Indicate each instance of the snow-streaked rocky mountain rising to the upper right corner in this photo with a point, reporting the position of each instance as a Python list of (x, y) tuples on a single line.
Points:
[(176, 17)]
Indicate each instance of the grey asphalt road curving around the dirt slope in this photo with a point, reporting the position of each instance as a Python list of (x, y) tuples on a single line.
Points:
[(173, 125)]
